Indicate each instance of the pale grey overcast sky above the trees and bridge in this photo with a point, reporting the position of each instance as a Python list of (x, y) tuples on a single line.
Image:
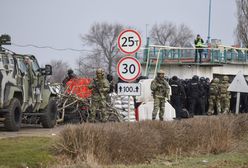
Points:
[(59, 23)]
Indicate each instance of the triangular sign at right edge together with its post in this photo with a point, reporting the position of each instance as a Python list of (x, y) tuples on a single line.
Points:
[(238, 85)]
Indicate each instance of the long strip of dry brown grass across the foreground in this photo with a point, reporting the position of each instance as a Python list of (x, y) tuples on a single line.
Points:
[(129, 143)]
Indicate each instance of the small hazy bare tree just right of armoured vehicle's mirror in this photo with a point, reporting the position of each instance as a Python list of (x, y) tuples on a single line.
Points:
[(59, 70)]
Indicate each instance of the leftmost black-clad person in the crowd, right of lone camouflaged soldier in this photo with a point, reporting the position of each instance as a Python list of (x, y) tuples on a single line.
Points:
[(177, 93)]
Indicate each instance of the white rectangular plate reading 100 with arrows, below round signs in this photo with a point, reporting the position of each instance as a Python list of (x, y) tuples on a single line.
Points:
[(129, 89)]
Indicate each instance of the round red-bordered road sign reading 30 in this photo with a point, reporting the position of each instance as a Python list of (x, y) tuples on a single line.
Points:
[(128, 69)]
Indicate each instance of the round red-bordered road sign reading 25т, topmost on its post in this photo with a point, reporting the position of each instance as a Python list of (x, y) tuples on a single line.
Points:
[(129, 41)]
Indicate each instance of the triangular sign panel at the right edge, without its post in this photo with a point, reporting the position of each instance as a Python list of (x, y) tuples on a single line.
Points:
[(238, 84)]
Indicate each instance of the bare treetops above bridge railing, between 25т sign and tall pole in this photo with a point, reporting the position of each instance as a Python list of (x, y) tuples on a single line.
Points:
[(169, 34)]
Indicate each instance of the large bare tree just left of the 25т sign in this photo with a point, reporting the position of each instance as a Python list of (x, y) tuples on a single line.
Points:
[(103, 38)]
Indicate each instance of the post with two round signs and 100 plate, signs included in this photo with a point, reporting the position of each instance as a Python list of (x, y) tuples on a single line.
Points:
[(128, 68)]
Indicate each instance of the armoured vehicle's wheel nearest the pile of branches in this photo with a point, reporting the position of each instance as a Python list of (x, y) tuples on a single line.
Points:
[(48, 120)]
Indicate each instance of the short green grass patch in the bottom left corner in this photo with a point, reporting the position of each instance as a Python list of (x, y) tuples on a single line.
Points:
[(25, 152)]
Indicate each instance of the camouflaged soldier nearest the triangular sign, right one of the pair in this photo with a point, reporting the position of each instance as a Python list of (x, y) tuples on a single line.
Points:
[(225, 95)]
